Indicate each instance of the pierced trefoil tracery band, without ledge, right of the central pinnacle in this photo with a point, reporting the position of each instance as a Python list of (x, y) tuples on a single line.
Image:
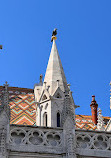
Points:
[(97, 141)]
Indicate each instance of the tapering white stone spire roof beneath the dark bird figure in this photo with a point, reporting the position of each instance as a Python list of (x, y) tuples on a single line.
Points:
[(55, 71)]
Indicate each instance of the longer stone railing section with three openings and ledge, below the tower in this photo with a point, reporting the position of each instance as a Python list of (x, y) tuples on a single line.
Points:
[(34, 139)]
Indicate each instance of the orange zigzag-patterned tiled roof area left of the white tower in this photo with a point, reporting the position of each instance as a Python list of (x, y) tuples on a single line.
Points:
[(21, 102)]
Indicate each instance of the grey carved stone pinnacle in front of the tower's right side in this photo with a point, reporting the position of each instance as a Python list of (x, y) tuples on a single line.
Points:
[(68, 122)]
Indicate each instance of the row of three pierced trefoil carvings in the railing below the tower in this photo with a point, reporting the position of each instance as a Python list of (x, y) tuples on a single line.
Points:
[(35, 137)]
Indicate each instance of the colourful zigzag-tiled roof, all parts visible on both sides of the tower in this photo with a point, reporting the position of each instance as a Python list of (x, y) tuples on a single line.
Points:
[(21, 102)]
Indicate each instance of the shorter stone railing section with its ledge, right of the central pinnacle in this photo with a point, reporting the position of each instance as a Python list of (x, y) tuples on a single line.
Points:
[(90, 142)]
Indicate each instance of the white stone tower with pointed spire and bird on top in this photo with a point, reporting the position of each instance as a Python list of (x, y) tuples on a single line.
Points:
[(50, 95)]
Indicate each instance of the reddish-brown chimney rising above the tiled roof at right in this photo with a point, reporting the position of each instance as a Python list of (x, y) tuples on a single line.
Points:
[(94, 107)]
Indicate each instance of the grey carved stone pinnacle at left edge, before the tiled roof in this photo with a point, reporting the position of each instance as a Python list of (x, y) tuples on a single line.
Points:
[(4, 123)]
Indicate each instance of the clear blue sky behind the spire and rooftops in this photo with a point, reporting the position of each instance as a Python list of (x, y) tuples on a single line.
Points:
[(84, 45)]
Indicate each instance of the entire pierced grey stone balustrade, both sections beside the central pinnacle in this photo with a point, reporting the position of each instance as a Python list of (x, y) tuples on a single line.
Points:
[(51, 140)]
